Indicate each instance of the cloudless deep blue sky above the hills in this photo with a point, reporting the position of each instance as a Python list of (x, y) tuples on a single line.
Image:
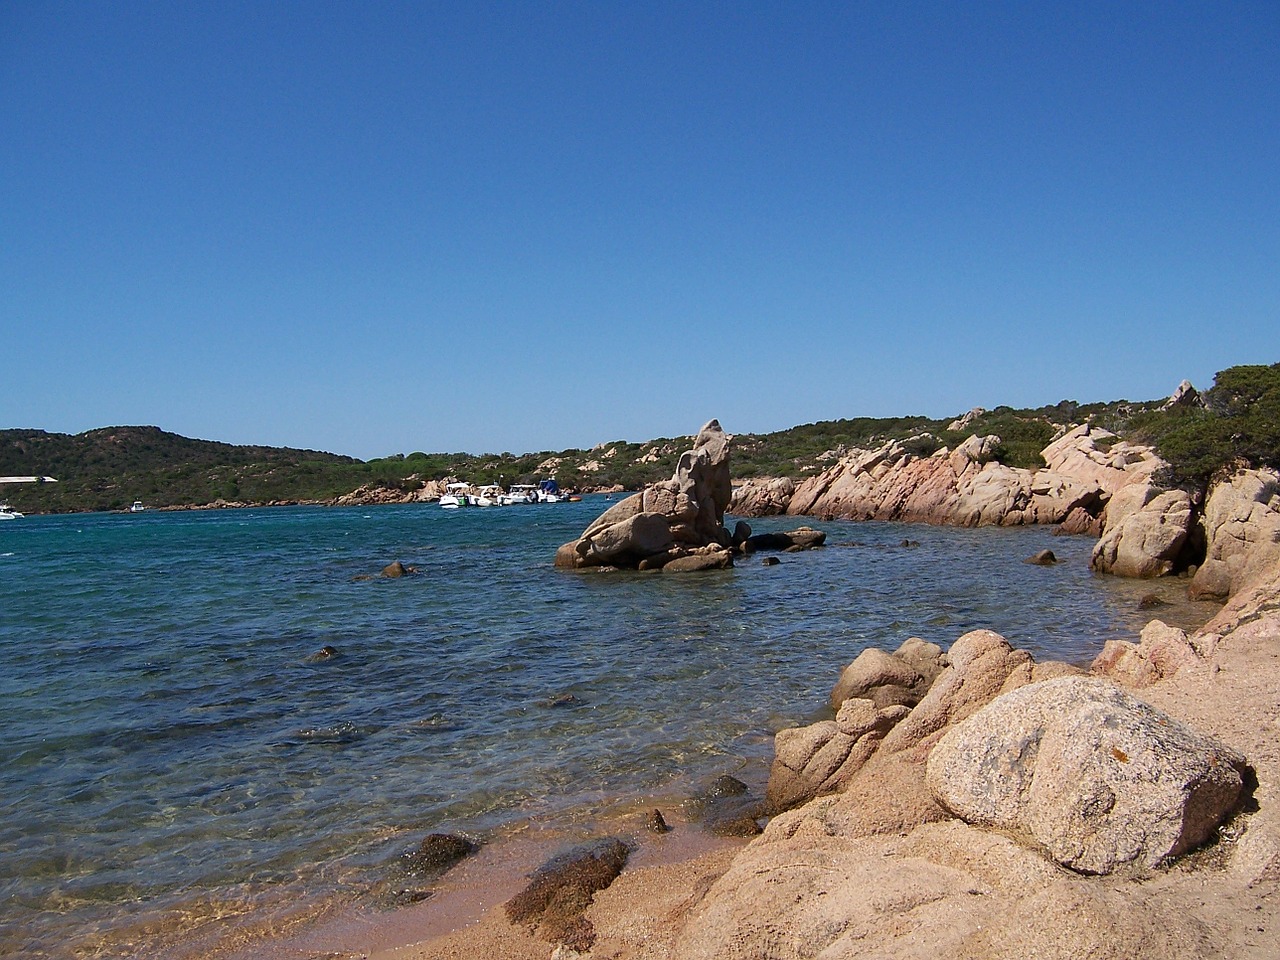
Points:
[(392, 227)]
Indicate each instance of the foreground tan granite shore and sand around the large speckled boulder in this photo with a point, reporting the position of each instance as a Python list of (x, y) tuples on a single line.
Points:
[(922, 853)]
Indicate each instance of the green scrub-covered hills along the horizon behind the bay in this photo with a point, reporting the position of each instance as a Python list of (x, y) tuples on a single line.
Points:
[(111, 468)]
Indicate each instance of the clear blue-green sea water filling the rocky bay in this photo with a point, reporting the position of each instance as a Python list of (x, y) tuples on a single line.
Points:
[(207, 715)]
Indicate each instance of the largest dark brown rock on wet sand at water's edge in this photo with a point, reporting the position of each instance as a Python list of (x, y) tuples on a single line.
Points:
[(563, 889)]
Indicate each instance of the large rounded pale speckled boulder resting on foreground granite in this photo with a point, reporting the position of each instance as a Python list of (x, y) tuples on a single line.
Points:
[(1081, 769)]
